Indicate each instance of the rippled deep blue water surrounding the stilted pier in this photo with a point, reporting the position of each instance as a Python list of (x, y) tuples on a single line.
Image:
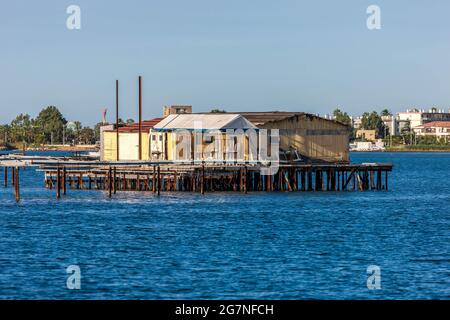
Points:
[(229, 245)]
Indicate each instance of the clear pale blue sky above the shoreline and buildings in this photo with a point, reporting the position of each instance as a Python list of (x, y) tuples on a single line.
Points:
[(236, 55)]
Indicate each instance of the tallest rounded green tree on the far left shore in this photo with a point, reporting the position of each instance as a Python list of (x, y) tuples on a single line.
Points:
[(51, 122)]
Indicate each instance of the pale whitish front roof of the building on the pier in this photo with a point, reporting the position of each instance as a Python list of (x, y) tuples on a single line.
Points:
[(208, 121)]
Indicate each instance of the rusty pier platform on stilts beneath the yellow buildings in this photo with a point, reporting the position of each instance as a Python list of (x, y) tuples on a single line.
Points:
[(156, 177)]
